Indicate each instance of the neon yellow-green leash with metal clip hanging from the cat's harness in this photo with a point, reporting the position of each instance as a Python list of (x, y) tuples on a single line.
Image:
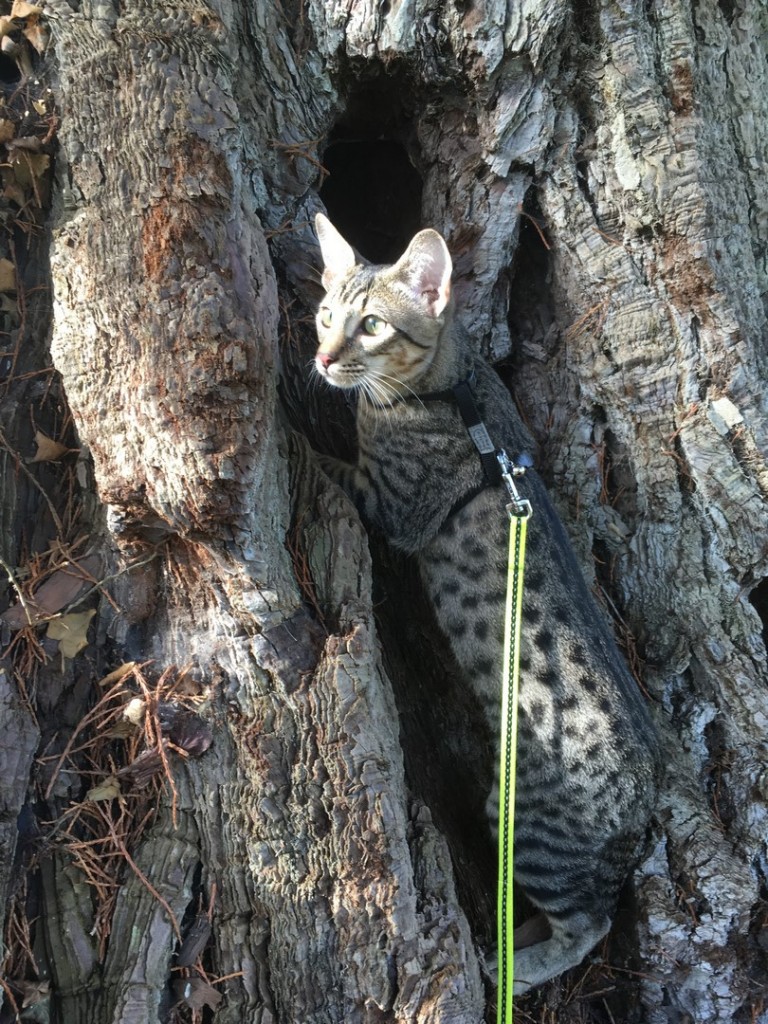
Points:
[(520, 513)]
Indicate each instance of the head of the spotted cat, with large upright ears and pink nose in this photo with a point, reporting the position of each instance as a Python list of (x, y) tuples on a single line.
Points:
[(379, 327)]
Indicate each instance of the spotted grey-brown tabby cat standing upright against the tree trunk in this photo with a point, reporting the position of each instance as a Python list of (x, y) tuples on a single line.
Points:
[(587, 759)]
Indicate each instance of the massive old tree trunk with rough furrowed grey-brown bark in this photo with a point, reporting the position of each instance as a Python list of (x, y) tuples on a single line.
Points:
[(258, 790)]
